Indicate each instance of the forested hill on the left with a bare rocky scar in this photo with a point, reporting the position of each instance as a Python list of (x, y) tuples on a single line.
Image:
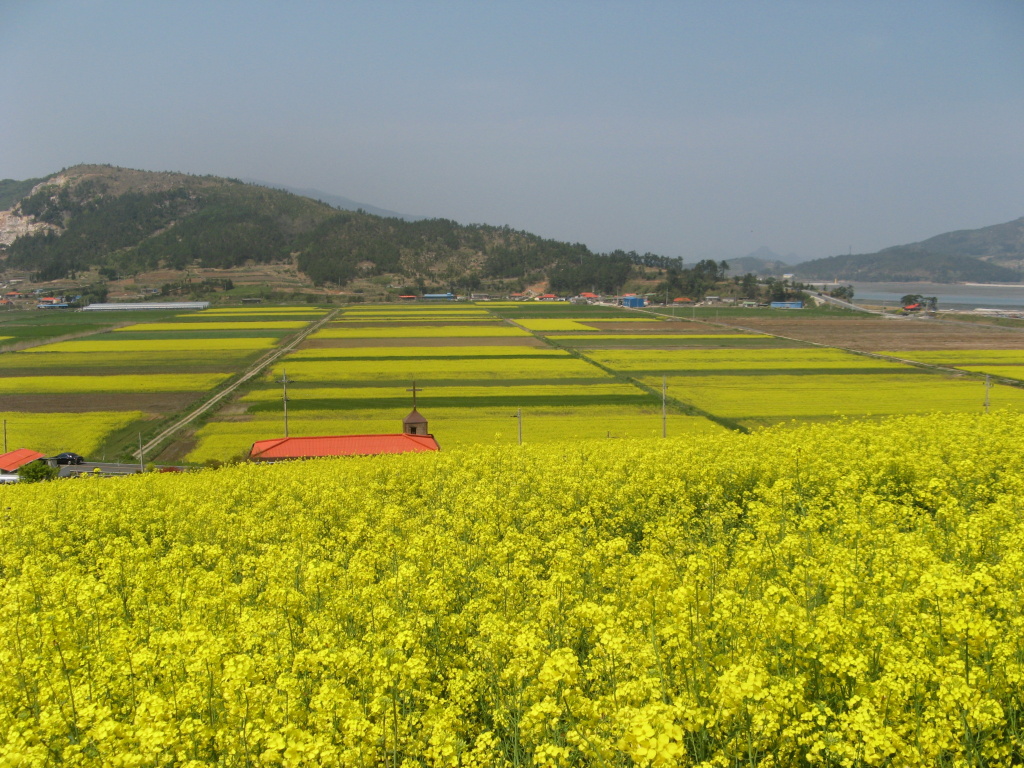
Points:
[(129, 222)]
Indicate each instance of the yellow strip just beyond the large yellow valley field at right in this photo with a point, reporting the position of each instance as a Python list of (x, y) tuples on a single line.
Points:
[(739, 360)]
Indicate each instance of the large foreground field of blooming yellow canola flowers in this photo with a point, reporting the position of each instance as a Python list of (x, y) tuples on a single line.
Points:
[(719, 601)]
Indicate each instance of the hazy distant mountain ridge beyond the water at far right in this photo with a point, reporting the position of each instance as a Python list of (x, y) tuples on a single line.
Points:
[(992, 254)]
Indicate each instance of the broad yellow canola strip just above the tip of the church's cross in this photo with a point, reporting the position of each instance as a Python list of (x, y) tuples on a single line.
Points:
[(497, 369)]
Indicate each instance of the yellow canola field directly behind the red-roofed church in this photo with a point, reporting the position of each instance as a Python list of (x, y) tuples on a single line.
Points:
[(453, 429)]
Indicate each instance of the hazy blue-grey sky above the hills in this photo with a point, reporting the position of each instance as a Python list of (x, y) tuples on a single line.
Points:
[(684, 129)]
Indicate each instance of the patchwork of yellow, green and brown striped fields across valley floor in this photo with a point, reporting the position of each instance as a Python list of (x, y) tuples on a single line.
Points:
[(570, 372)]
